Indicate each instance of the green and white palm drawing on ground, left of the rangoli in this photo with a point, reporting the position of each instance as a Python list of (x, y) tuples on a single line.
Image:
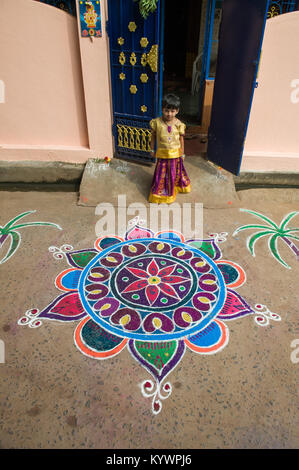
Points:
[(9, 230)]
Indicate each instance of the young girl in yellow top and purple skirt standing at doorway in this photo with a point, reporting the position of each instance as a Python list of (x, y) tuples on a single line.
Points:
[(170, 175)]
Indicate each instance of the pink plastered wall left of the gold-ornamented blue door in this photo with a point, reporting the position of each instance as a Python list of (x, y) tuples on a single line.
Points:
[(54, 86)]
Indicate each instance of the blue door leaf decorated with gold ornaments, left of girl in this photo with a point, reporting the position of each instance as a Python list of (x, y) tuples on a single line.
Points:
[(136, 73)]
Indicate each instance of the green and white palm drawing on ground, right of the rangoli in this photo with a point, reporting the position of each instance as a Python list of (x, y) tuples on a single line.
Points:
[(274, 232)]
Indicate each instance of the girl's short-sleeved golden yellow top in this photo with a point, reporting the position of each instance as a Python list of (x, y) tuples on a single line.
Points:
[(168, 143)]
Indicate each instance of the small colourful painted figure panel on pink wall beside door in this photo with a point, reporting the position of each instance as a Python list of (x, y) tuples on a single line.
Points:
[(90, 18)]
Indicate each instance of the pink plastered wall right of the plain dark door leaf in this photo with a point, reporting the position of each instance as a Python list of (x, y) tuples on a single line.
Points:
[(272, 141)]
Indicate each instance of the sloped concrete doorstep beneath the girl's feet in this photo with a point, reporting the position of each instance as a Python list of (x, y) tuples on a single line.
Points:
[(210, 185)]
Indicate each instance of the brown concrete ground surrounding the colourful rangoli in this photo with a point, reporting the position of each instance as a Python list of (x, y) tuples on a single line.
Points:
[(53, 396)]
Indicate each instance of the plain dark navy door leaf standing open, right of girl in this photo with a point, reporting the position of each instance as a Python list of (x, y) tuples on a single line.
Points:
[(240, 38)]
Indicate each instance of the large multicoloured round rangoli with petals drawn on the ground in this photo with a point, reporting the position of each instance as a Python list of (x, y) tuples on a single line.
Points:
[(153, 295)]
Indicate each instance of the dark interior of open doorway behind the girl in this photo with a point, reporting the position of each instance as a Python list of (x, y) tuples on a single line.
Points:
[(181, 39)]
